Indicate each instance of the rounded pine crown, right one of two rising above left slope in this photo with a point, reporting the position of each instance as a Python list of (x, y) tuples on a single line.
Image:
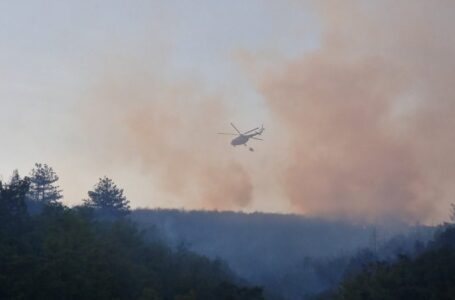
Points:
[(106, 196)]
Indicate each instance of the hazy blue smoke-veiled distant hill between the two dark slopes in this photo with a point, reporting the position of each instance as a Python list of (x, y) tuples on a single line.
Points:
[(285, 253)]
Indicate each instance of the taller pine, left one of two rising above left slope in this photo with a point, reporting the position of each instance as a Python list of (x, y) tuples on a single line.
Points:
[(43, 188)]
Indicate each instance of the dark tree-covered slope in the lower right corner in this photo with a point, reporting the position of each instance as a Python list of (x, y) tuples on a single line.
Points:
[(429, 274)]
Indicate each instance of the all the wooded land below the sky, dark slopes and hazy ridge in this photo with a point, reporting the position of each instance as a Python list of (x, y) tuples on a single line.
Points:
[(104, 250)]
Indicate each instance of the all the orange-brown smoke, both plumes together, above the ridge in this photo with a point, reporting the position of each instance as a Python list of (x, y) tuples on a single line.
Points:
[(366, 119)]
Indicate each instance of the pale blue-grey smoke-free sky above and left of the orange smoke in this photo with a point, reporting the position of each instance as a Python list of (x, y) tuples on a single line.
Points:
[(52, 51)]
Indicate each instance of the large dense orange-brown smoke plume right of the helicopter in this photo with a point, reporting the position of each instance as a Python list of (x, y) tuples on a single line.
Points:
[(371, 112)]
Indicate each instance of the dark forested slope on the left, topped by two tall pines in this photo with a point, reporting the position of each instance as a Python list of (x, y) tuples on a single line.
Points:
[(94, 252)]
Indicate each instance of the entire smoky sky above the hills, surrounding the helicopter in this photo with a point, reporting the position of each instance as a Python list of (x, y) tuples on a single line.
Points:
[(136, 90)]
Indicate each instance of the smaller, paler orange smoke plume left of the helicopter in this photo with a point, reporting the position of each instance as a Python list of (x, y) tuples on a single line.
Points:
[(168, 129)]
